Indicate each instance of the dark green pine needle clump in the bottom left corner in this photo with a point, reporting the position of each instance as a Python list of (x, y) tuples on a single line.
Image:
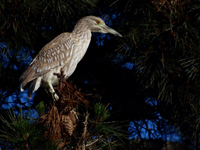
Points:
[(20, 132)]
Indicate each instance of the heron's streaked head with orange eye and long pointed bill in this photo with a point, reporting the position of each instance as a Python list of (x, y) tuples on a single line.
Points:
[(96, 24)]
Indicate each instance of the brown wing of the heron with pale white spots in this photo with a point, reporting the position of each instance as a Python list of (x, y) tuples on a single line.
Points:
[(55, 53)]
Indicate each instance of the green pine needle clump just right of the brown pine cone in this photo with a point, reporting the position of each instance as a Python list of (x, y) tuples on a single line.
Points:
[(111, 131)]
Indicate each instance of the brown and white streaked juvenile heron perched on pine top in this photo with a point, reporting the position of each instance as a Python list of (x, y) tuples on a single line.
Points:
[(65, 51)]
